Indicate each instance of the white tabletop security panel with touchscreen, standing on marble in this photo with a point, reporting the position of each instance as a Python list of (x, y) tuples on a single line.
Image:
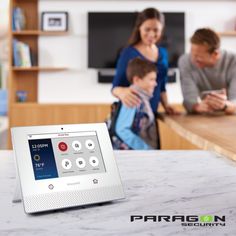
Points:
[(62, 166)]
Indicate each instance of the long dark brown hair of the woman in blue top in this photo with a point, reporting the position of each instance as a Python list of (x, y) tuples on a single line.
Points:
[(146, 14)]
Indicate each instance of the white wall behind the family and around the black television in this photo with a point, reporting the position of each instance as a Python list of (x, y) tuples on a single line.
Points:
[(79, 84)]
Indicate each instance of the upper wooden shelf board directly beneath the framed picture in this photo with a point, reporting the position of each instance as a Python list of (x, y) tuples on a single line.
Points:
[(38, 33)]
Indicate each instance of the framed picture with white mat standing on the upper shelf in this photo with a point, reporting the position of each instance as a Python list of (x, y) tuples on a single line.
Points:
[(54, 21)]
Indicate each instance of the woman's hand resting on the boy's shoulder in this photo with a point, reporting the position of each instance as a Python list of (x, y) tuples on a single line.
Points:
[(127, 95)]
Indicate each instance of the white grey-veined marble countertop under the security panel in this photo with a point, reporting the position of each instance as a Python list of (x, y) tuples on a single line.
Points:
[(155, 183)]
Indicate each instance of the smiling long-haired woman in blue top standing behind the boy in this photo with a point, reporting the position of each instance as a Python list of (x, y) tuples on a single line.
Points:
[(143, 43)]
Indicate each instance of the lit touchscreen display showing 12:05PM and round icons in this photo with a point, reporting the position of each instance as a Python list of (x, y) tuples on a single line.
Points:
[(65, 154)]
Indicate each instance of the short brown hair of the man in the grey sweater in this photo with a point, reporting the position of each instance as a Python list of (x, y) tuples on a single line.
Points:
[(206, 36)]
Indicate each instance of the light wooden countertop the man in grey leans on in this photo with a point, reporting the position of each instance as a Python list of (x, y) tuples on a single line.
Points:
[(215, 132)]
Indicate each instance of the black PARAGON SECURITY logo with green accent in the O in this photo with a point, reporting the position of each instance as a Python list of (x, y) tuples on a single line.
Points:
[(188, 220)]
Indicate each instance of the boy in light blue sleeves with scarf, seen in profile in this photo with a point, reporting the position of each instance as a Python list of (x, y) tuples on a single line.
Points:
[(135, 128)]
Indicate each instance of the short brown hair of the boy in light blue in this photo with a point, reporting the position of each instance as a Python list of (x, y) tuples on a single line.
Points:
[(140, 68)]
